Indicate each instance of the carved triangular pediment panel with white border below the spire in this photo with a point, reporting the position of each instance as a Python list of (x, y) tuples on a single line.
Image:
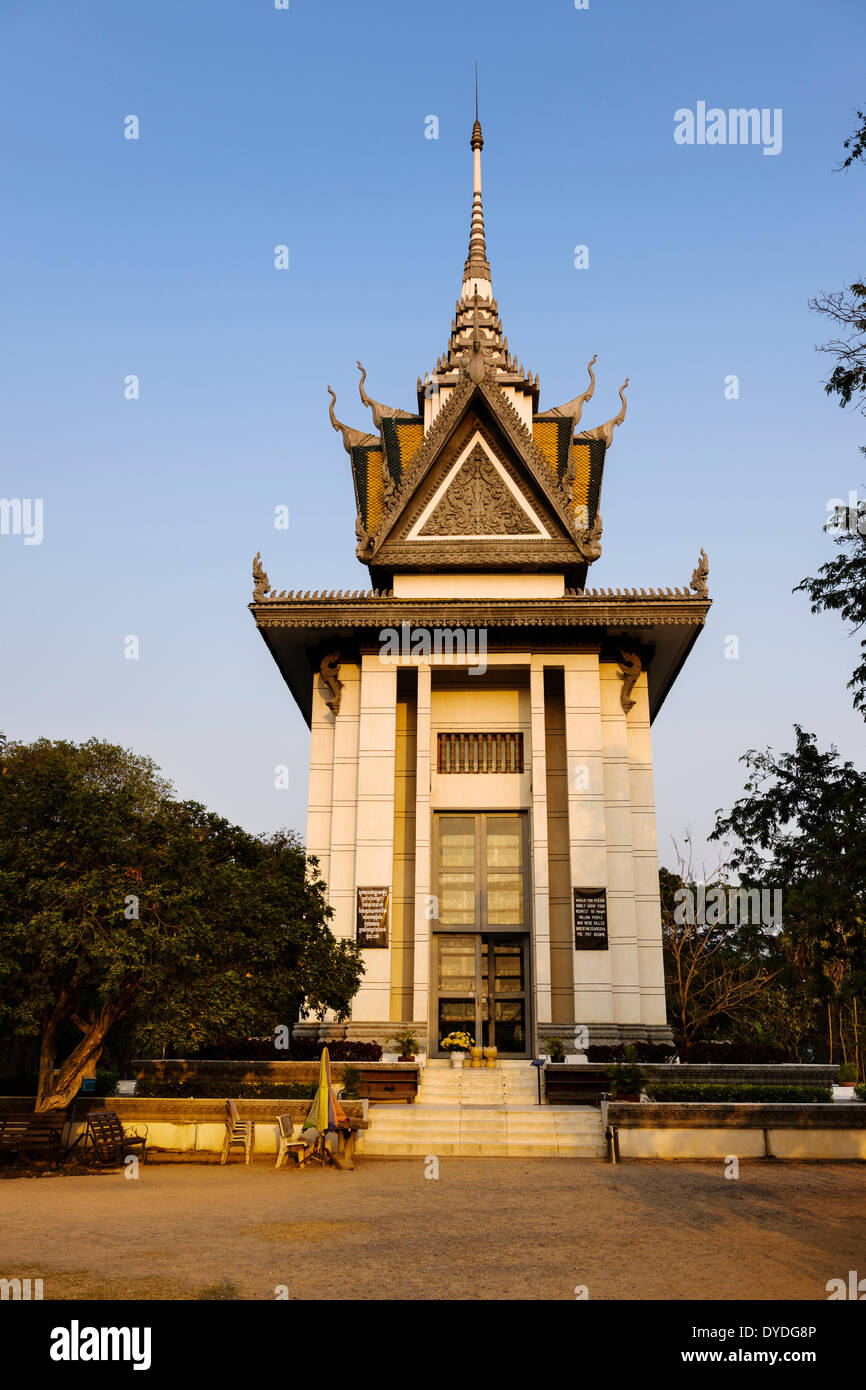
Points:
[(477, 498)]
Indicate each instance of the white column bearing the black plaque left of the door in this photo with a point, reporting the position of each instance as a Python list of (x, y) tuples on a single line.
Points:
[(375, 826)]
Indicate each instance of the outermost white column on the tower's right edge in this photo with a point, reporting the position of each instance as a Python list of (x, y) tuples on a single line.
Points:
[(646, 856)]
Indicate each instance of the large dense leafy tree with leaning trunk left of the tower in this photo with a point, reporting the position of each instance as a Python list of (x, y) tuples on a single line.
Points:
[(119, 903)]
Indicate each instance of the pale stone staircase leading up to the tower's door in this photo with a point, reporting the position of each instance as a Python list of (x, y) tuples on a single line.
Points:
[(483, 1113)]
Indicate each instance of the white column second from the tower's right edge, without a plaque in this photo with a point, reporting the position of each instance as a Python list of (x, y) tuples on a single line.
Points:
[(622, 926)]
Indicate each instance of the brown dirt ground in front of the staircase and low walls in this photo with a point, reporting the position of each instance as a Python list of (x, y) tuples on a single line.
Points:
[(484, 1229)]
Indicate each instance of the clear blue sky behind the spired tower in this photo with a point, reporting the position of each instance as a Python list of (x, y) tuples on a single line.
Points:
[(307, 127)]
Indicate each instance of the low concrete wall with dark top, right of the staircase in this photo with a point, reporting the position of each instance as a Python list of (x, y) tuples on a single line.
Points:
[(718, 1131)]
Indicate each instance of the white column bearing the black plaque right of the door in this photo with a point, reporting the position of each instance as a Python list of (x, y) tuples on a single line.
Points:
[(587, 832)]
